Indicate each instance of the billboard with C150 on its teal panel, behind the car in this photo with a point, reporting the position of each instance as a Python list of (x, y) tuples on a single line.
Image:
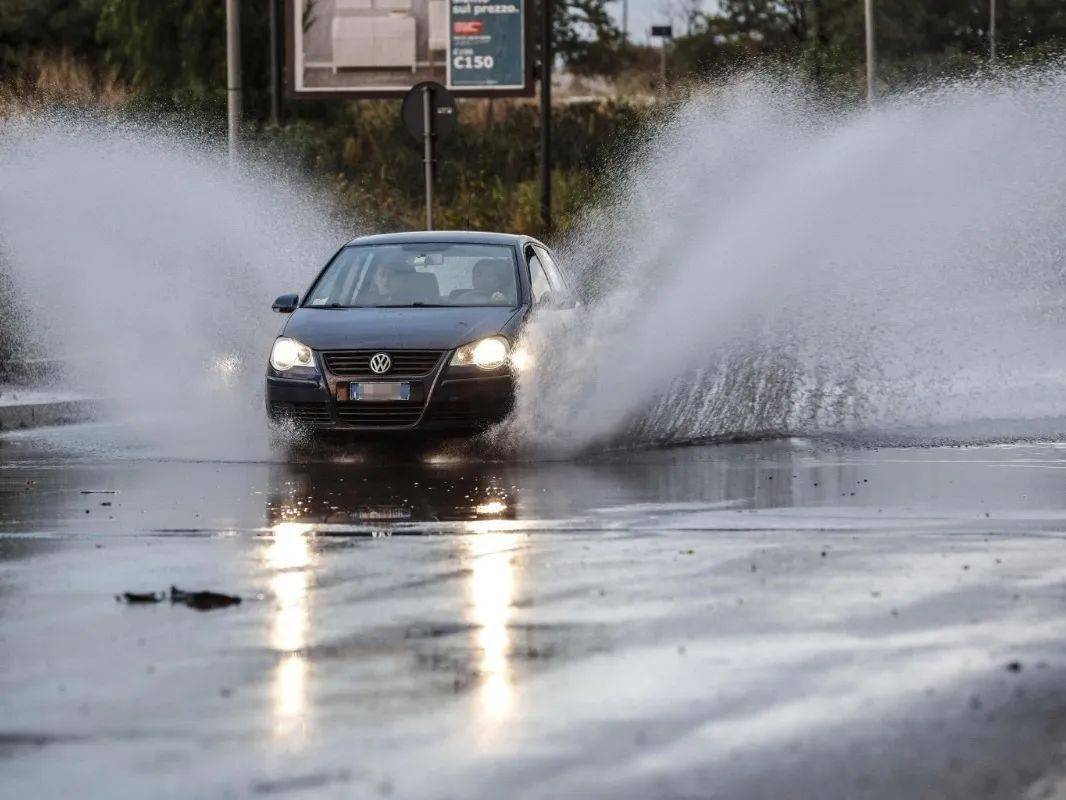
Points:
[(382, 49)]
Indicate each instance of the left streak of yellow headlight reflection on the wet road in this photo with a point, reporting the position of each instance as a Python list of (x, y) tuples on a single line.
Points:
[(289, 555)]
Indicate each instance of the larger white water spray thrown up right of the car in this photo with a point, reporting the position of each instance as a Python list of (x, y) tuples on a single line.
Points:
[(774, 266)]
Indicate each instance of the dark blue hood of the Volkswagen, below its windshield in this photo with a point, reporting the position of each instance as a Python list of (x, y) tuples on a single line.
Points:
[(431, 329)]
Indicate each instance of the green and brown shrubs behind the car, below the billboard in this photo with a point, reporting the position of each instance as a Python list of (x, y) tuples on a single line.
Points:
[(488, 173)]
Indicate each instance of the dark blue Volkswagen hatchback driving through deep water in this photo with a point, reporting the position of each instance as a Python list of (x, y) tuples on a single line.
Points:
[(411, 332)]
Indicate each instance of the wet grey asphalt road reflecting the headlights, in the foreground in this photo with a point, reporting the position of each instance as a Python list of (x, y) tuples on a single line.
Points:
[(783, 619)]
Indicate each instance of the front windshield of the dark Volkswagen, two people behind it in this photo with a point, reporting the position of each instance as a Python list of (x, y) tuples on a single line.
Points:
[(417, 276)]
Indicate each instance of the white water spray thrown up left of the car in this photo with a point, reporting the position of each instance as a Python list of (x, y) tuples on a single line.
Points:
[(150, 266)]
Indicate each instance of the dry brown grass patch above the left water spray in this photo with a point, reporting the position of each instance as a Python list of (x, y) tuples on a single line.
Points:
[(60, 81)]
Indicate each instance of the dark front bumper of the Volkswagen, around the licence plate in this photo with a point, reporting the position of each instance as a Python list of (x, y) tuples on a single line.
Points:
[(448, 399)]
